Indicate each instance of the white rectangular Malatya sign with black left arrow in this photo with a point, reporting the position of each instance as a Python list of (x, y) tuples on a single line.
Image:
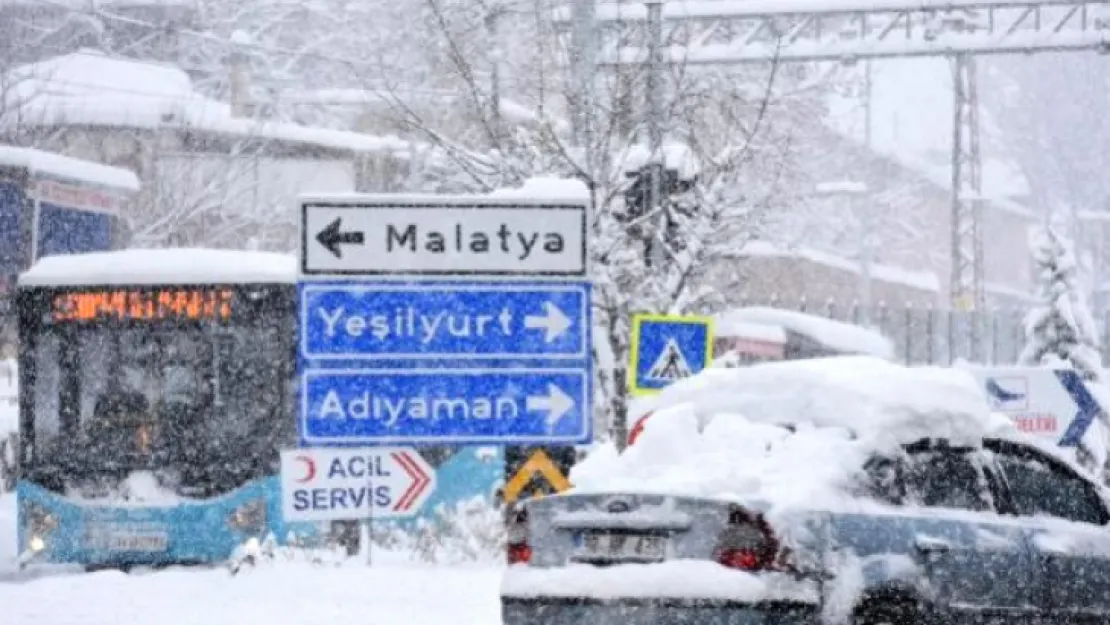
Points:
[(406, 236)]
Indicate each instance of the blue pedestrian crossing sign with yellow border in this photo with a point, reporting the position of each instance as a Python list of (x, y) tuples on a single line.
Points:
[(667, 349)]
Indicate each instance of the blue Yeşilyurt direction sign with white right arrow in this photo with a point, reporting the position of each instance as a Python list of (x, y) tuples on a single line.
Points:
[(438, 321)]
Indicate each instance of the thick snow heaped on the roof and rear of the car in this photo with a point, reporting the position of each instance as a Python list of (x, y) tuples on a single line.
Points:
[(719, 434)]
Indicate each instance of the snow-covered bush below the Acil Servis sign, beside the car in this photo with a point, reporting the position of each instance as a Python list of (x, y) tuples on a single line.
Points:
[(469, 532)]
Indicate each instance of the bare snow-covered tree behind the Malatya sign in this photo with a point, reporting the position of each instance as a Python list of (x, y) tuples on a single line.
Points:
[(731, 135)]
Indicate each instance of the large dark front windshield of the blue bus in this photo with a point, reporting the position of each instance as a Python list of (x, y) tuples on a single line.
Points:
[(203, 407)]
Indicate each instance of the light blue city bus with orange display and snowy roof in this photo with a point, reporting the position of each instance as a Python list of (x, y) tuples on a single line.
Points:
[(156, 395)]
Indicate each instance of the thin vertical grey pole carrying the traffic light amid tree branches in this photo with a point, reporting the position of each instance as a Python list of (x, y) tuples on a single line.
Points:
[(658, 162)]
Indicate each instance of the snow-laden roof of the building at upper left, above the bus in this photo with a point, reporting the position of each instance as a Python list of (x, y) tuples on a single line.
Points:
[(92, 88)]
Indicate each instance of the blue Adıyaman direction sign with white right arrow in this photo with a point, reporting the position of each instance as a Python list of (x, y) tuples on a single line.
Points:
[(446, 407)]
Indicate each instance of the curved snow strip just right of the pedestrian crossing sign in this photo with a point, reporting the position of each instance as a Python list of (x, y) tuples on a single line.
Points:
[(839, 336)]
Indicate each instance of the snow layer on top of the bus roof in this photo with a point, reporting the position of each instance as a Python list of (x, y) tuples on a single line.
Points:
[(176, 266)]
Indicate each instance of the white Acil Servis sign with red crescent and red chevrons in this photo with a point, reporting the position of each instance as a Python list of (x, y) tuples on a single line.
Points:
[(354, 483)]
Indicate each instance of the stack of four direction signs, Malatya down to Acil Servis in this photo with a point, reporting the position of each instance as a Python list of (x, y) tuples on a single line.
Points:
[(430, 320)]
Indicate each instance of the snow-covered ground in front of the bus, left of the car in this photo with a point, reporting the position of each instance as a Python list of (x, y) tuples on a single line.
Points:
[(287, 593)]
